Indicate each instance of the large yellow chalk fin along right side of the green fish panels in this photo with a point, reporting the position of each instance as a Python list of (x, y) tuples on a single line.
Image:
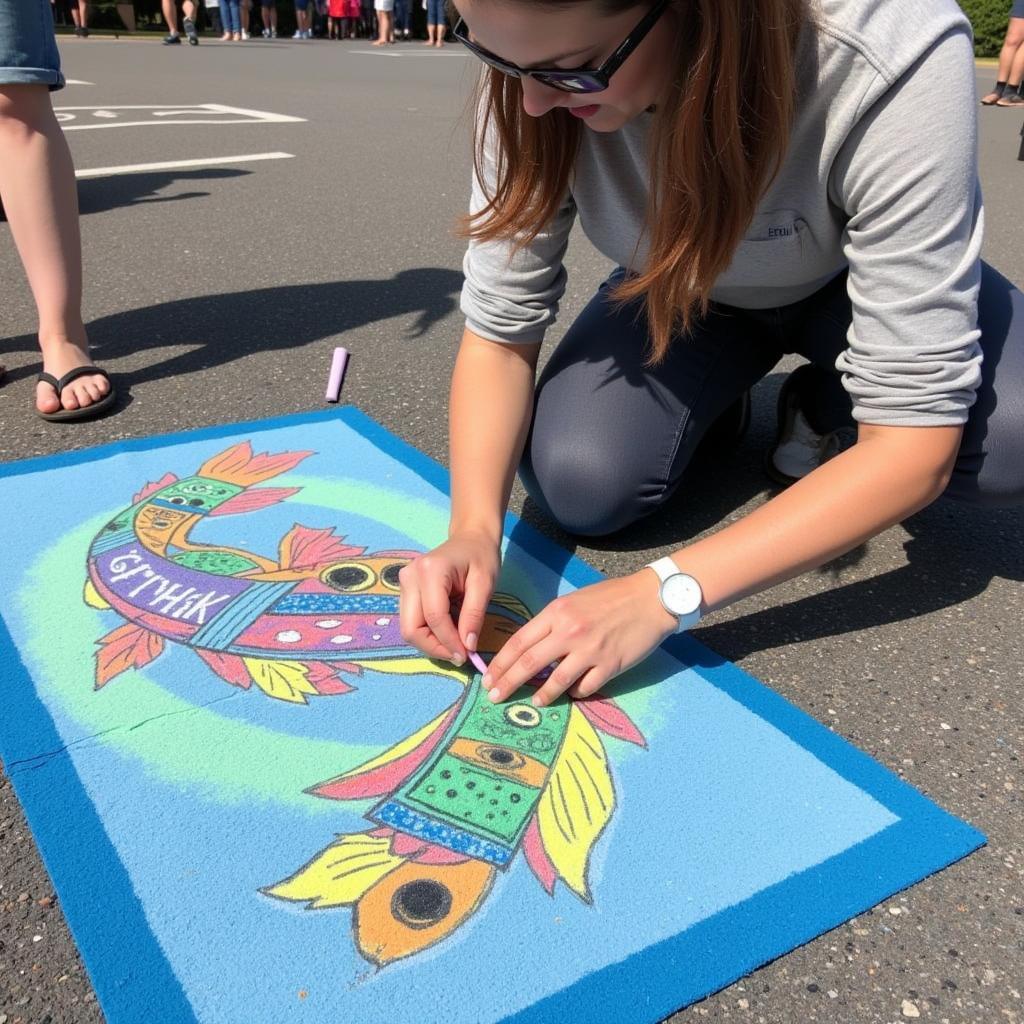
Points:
[(577, 803)]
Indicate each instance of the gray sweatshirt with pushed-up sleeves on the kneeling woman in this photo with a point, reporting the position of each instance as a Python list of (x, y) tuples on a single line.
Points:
[(881, 178)]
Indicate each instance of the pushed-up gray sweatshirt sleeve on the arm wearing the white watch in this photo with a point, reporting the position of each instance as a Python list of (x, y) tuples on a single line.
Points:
[(908, 180)]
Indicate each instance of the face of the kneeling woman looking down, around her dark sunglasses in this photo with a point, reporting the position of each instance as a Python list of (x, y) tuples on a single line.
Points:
[(572, 36)]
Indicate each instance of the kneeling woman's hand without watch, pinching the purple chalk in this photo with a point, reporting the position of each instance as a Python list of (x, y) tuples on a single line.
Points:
[(463, 572)]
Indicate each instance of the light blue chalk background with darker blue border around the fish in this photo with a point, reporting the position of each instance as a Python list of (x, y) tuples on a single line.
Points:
[(744, 830)]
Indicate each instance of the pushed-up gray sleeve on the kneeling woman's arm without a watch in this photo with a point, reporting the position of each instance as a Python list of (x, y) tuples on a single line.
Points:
[(513, 295)]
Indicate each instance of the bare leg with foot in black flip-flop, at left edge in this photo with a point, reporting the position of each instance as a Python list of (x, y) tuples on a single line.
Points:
[(37, 180)]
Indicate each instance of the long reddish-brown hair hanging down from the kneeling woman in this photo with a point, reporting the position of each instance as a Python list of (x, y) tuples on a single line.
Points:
[(718, 140)]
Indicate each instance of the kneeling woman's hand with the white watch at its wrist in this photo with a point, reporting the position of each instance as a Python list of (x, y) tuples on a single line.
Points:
[(594, 634)]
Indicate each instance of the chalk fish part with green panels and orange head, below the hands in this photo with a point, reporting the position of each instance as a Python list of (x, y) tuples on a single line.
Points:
[(459, 799)]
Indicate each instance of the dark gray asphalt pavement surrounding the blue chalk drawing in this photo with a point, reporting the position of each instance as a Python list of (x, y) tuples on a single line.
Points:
[(217, 292)]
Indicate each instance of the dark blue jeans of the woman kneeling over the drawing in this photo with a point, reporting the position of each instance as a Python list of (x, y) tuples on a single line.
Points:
[(611, 438)]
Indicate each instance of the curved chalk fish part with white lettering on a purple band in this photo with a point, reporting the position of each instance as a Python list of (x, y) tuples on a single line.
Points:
[(297, 626)]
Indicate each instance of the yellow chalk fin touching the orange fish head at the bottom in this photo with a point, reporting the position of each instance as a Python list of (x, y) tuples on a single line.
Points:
[(340, 875)]
